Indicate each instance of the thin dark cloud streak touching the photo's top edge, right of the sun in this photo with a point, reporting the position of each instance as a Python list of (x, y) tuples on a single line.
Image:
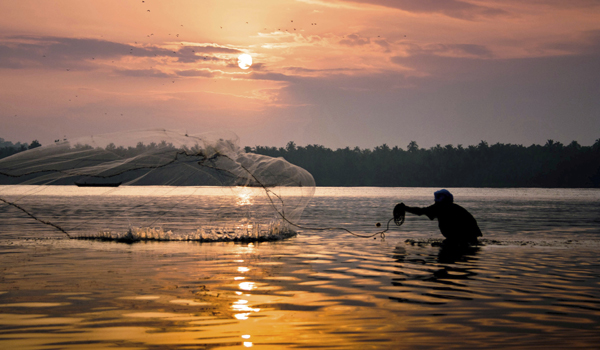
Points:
[(452, 8)]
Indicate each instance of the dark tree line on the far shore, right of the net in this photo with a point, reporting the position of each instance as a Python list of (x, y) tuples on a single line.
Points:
[(483, 165)]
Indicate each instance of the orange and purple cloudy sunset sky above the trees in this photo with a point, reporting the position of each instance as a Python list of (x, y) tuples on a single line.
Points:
[(338, 73)]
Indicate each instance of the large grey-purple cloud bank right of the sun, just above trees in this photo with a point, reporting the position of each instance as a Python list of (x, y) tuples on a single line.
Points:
[(459, 100)]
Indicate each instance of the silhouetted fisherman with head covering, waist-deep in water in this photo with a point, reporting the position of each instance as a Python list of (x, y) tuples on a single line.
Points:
[(455, 222)]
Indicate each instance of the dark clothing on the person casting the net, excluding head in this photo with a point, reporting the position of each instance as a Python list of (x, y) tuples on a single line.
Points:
[(455, 222)]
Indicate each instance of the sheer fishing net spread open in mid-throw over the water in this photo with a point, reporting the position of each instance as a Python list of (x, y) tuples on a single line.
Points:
[(153, 185)]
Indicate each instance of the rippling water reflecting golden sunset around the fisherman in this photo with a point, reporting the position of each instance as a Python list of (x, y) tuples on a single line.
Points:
[(534, 283)]
